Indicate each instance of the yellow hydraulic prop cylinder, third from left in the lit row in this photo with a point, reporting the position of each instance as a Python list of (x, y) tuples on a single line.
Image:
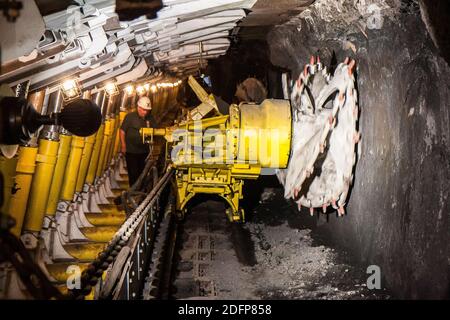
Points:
[(58, 176)]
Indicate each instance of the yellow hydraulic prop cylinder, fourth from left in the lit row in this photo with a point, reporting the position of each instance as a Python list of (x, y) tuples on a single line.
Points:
[(73, 166)]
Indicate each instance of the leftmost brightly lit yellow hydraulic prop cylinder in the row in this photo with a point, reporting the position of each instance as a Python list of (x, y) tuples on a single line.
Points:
[(24, 174)]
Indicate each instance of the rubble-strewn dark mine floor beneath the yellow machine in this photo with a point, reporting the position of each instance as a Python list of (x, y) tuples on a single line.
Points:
[(277, 254)]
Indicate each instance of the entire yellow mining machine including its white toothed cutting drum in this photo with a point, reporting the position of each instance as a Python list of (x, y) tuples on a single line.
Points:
[(214, 153)]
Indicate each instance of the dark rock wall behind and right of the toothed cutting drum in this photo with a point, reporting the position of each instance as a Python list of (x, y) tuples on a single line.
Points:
[(398, 212)]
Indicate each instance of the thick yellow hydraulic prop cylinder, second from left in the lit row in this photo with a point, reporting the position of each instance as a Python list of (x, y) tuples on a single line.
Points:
[(40, 186)]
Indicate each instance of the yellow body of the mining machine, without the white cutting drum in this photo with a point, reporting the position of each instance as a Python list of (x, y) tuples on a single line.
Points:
[(214, 154)]
